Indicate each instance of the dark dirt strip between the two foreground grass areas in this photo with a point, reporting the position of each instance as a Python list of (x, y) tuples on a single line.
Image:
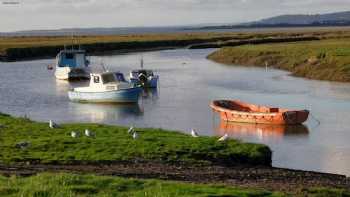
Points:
[(276, 179)]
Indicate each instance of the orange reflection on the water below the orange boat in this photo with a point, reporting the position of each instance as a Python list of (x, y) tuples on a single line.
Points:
[(262, 132)]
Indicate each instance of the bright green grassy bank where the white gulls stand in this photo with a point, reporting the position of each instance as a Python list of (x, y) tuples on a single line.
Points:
[(114, 144)]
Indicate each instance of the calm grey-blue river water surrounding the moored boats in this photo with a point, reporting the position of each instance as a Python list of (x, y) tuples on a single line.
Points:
[(188, 82)]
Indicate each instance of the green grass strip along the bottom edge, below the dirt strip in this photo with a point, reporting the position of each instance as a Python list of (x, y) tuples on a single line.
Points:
[(49, 184)]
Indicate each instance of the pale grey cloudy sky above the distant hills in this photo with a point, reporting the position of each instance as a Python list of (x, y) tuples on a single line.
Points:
[(18, 15)]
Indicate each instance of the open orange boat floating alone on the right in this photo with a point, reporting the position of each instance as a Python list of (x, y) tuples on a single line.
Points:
[(237, 111)]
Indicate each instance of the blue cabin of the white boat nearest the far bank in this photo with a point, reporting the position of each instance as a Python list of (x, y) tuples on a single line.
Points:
[(72, 59)]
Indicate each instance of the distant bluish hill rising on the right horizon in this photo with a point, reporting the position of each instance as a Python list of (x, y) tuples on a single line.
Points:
[(298, 20)]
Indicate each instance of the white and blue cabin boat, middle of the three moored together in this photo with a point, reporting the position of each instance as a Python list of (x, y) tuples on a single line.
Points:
[(107, 87)]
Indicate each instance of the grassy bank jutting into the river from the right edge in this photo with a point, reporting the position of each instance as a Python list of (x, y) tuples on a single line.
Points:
[(327, 59)]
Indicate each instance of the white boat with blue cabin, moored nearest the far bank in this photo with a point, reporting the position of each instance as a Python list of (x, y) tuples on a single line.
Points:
[(72, 64)]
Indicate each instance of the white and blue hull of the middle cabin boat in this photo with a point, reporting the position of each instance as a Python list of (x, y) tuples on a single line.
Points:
[(117, 96)]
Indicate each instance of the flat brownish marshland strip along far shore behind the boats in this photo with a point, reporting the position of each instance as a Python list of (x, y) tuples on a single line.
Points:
[(19, 48)]
